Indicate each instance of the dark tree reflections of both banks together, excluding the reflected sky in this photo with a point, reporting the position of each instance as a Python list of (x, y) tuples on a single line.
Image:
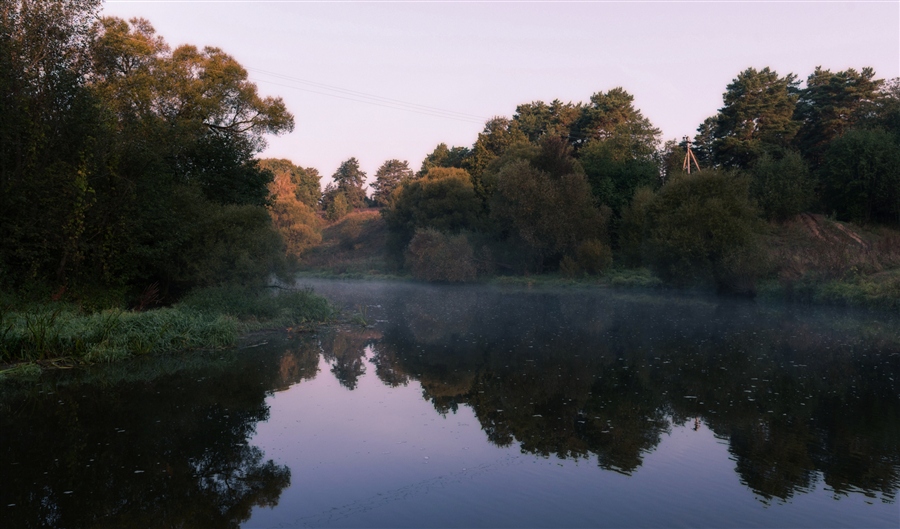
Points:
[(801, 398)]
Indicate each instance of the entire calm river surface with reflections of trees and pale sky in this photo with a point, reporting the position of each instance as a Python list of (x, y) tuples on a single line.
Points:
[(479, 407)]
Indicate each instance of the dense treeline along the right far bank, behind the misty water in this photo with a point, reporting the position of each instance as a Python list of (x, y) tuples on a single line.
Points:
[(575, 187)]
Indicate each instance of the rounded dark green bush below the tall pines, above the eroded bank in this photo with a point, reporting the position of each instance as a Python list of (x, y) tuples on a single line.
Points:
[(782, 185)]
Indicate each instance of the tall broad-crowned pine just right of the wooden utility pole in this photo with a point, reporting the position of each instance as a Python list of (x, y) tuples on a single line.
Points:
[(757, 115)]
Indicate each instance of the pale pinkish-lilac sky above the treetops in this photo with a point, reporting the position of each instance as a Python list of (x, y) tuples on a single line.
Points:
[(379, 80)]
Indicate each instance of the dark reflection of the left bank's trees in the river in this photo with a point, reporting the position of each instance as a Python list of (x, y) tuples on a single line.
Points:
[(163, 443)]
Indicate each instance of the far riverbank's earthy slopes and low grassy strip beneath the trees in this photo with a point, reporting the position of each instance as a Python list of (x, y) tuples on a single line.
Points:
[(809, 259)]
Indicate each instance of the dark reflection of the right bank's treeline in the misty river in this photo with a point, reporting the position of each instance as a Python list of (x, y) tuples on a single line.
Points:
[(799, 396)]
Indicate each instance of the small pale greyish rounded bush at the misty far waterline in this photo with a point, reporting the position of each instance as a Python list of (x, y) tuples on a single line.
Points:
[(436, 256)]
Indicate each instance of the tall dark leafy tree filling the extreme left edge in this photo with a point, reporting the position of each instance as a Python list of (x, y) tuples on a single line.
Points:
[(49, 135)]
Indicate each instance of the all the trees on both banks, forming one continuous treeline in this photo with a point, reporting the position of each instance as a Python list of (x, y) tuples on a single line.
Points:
[(128, 166)]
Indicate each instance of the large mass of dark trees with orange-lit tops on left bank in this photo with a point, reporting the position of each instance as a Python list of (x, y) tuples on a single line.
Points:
[(128, 166)]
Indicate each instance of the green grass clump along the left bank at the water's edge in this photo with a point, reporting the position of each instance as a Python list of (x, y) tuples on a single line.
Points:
[(61, 334)]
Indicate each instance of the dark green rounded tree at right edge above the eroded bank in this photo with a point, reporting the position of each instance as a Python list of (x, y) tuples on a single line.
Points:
[(861, 176)]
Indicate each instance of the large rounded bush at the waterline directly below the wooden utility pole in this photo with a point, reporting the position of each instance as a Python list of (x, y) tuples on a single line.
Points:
[(703, 228)]
